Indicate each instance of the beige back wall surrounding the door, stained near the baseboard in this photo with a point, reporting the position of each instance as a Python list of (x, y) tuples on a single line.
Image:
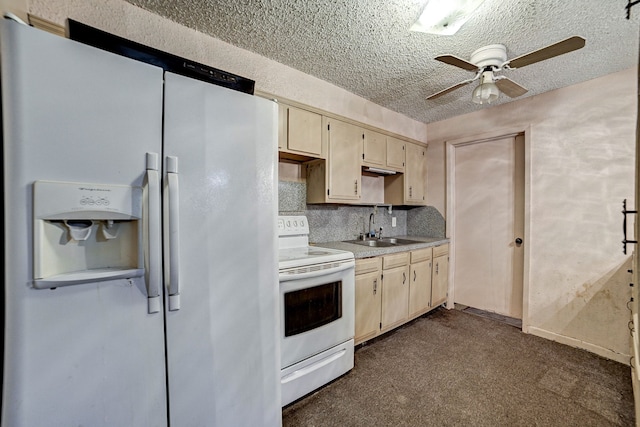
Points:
[(581, 147)]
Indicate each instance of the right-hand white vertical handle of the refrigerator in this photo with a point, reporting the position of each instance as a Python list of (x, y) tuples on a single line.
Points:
[(174, 234)]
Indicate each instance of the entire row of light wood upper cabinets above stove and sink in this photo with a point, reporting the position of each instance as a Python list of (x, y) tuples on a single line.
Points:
[(335, 153)]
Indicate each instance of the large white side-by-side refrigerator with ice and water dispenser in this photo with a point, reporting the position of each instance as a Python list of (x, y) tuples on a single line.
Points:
[(140, 243)]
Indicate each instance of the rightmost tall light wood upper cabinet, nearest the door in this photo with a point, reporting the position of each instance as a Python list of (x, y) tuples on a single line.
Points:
[(409, 188)]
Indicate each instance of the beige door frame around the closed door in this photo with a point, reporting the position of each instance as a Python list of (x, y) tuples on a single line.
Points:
[(450, 151)]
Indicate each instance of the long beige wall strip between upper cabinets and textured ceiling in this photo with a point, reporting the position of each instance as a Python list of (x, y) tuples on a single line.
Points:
[(131, 22)]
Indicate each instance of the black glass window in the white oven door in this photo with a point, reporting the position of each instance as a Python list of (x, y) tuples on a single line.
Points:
[(310, 308)]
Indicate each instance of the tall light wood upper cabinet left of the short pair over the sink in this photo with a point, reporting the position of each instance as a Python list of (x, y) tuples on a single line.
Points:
[(338, 178)]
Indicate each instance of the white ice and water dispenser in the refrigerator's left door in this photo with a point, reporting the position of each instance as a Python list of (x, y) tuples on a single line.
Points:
[(86, 233)]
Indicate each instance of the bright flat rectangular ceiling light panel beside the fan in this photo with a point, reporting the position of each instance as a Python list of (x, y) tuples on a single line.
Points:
[(445, 17)]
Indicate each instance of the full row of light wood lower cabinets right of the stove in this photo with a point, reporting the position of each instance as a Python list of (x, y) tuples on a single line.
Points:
[(393, 289)]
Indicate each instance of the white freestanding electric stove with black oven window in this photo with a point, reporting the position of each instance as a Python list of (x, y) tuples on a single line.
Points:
[(317, 310)]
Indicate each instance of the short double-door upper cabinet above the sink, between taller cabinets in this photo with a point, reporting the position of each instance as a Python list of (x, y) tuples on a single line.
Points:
[(381, 151)]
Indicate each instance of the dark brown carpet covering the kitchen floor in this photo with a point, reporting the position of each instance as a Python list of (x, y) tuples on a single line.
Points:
[(451, 368)]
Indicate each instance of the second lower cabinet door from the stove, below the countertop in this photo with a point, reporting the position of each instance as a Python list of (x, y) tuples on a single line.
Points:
[(395, 297)]
